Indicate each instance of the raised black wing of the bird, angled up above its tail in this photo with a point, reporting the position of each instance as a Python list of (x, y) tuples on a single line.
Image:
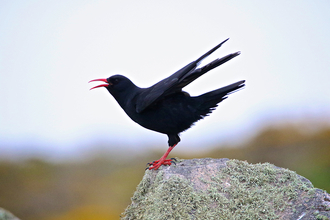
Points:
[(179, 79)]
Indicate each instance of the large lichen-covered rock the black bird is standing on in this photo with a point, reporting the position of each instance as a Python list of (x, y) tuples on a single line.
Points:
[(226, 189)]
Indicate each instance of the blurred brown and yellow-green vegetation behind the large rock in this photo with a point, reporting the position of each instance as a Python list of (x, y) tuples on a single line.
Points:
[(100, 187)]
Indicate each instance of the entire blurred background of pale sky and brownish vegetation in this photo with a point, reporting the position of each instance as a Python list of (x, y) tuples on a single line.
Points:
[(70, 153)]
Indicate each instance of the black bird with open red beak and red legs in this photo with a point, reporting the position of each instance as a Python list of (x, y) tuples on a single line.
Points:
[(164, 107)]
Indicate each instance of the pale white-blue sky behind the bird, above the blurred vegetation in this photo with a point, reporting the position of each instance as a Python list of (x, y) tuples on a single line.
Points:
[(50, 49)]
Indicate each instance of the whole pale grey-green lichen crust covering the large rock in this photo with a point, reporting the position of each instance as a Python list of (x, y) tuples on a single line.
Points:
[(238, 191)]
